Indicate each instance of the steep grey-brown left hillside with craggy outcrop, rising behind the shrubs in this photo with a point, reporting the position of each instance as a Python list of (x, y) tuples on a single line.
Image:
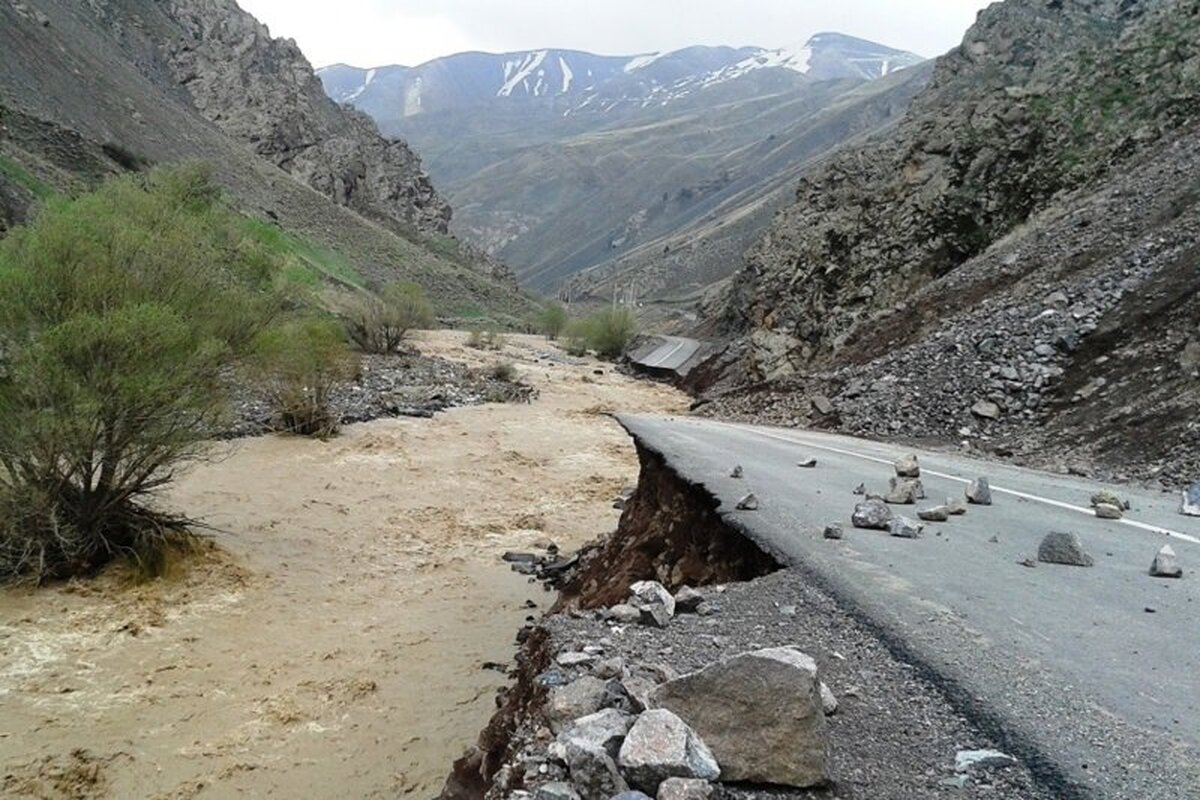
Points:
[(89, 89)]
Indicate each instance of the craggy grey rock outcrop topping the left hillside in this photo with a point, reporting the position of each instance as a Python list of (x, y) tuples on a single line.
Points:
[(263, 92)]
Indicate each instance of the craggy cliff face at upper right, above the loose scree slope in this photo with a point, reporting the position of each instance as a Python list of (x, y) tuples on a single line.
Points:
[(1041, 98)]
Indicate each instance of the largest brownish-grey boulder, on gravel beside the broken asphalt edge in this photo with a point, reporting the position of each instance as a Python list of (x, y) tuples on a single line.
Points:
[(761, 713)]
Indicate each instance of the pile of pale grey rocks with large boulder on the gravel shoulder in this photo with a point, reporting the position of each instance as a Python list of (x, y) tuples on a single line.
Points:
[(755, 717)]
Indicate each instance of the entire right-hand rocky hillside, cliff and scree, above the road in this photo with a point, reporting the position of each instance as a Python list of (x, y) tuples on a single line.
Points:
[(1016, 267)]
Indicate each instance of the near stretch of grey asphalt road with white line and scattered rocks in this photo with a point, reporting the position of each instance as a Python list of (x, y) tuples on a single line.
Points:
[(1093, 676)]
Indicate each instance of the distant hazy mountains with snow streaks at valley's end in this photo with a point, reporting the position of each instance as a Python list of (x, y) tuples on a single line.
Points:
[(560, 161)]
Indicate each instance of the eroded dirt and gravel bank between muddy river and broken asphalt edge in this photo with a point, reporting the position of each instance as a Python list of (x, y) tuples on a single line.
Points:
[(895, 736)]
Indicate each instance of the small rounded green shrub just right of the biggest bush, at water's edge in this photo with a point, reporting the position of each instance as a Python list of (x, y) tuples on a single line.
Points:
[(302, 364)]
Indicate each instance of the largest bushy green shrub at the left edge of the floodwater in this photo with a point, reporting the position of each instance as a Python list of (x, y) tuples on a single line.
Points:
[(121, 312)]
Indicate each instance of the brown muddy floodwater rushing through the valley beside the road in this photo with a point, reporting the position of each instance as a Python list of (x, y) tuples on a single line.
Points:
[(332, 643)]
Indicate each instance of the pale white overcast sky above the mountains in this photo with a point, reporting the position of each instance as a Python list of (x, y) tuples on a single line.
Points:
[(376, 33)]
